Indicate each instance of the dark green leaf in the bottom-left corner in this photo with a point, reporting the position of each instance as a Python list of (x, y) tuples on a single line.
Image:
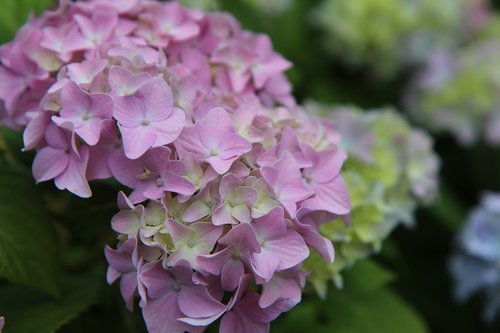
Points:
[(27, 310)]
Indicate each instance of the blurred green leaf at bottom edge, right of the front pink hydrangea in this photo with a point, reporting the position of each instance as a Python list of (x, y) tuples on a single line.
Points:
[(364, 305)]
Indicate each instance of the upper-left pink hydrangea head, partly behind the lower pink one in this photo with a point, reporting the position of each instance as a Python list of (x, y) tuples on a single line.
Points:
[(73, 75)]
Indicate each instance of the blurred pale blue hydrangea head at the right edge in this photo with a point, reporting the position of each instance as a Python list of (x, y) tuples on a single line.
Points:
[(475, 266)]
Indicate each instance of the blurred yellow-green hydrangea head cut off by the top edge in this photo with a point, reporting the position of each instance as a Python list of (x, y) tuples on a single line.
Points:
[(404, 33)]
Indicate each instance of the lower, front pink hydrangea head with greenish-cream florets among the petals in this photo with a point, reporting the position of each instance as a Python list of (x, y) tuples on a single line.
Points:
[(224, 223)]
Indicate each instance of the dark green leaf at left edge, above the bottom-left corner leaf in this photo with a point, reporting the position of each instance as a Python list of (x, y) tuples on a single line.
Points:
[(28, 246)]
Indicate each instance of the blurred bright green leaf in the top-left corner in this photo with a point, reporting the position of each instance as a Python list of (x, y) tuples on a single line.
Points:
[(15, 12)]
